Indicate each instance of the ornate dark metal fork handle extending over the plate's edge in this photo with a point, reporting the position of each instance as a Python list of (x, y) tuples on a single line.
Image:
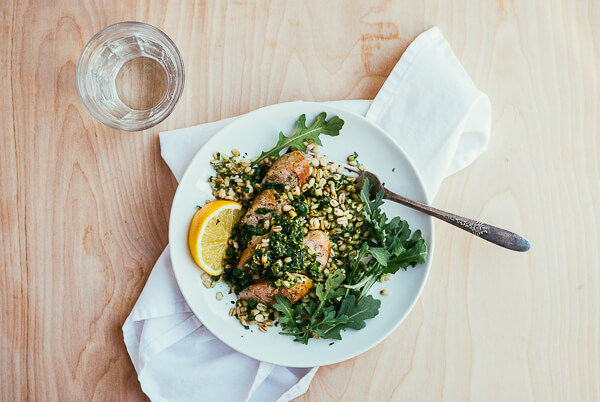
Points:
[(490, 233)]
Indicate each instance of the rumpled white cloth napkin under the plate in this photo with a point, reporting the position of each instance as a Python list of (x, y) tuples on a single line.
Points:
[(428, 104)]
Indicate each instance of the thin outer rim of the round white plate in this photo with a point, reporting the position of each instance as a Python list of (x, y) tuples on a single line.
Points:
[(427, 200)]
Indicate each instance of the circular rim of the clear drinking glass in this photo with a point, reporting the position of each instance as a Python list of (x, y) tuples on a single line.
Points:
[(84, 59)]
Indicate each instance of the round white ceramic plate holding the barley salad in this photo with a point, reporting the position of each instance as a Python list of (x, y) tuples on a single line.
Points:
[(253, 133)]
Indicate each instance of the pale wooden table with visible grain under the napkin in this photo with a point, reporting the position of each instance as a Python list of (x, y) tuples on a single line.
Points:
[(84, 209)]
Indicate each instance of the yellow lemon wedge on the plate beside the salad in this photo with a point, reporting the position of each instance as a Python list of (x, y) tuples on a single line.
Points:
[(209, 231)]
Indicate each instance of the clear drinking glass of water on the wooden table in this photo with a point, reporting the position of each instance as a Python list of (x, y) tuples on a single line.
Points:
[(130, 76)]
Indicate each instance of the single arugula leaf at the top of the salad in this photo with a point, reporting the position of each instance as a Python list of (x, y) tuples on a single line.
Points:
[(329, 127)]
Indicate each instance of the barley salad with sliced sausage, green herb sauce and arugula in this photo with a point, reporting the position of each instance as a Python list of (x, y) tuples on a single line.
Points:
[(310, 243)]
